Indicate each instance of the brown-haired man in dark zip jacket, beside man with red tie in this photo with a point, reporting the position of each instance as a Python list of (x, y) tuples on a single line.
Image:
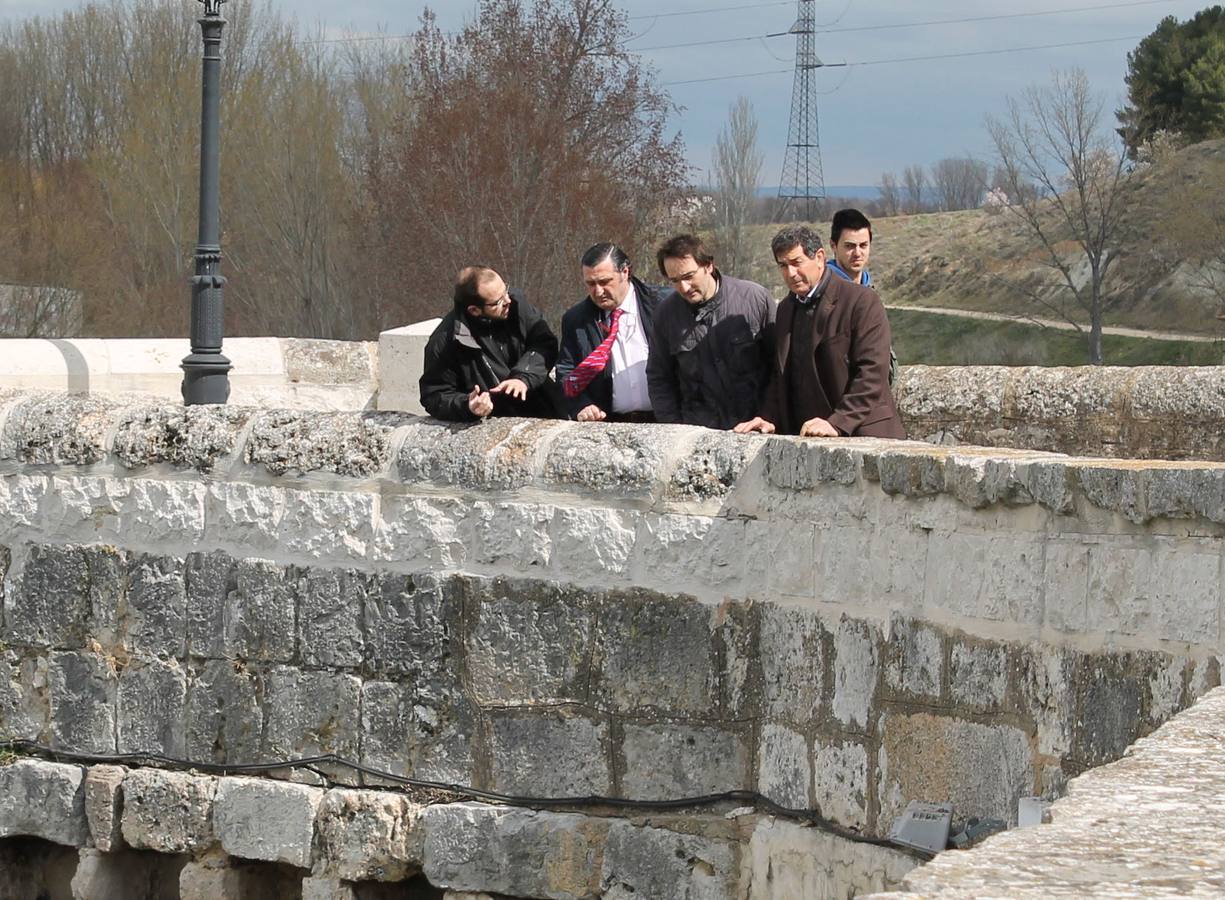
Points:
[(715, 341)]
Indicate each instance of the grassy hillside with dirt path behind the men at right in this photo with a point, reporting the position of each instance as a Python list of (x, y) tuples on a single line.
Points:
[(972, 260)]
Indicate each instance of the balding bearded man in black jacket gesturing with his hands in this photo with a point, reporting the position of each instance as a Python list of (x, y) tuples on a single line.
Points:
[(491, 356)]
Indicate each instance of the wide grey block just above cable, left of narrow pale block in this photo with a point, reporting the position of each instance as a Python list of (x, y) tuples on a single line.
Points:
[(669, 761)]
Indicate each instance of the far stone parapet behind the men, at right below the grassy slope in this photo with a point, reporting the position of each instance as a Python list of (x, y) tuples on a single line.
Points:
[(1119, 412)]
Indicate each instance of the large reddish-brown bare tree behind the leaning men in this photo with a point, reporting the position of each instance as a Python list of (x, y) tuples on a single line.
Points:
[(536, 135)]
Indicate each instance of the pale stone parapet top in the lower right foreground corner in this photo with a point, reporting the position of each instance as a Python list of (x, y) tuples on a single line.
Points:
[(1151, 825)]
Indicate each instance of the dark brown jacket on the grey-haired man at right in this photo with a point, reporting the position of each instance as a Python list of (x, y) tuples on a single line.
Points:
[(852, 354)]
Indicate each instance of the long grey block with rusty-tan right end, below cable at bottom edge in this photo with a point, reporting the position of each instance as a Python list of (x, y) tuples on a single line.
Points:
[(522, 853)]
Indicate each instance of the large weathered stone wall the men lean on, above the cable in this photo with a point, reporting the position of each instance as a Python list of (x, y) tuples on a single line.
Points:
[(563, 609)]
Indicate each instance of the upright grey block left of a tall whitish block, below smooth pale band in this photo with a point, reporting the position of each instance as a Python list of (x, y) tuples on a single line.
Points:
[(792, 656)]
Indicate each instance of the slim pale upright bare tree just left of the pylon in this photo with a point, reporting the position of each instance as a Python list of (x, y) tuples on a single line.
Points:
[(738, 165)]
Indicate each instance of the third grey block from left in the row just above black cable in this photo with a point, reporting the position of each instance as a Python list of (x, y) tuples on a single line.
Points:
[(151, 703)]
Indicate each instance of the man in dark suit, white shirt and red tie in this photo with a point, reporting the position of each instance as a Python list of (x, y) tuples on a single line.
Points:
[(606, 340)]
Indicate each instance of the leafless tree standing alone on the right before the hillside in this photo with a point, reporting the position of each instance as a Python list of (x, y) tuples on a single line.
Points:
[(1054, 138)]
